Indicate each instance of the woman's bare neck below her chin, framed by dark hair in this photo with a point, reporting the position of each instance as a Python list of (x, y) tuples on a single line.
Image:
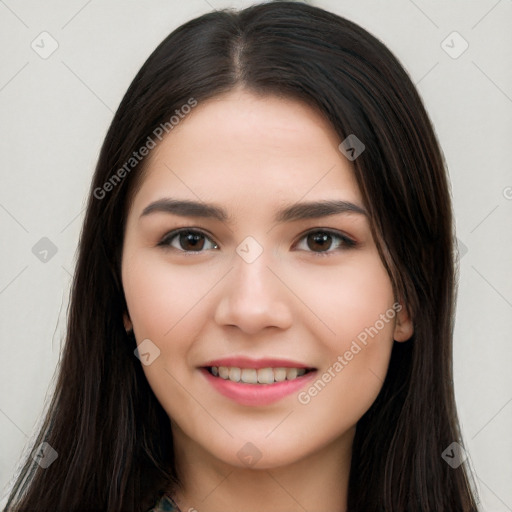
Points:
[(316, 483)]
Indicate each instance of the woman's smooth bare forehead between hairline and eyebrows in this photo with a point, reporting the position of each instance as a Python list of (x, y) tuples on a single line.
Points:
[(250, 149)]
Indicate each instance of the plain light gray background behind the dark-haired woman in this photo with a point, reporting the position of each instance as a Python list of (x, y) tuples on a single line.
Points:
[(54, 113)]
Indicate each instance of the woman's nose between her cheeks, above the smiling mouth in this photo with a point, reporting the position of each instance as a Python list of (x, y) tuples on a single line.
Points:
[(253, 298)]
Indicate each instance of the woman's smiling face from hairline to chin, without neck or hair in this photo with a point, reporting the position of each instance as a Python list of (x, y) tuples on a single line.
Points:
[(274, 276)]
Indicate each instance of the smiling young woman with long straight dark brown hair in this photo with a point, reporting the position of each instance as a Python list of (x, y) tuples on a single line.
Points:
[(262, 310)]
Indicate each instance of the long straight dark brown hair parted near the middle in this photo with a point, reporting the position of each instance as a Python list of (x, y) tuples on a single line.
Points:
[(113, 438)]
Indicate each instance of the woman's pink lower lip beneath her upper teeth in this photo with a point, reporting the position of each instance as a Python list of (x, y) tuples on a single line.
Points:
[(257, 394)]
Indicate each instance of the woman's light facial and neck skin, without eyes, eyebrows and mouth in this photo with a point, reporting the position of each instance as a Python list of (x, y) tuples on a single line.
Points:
[(253, 156)]
